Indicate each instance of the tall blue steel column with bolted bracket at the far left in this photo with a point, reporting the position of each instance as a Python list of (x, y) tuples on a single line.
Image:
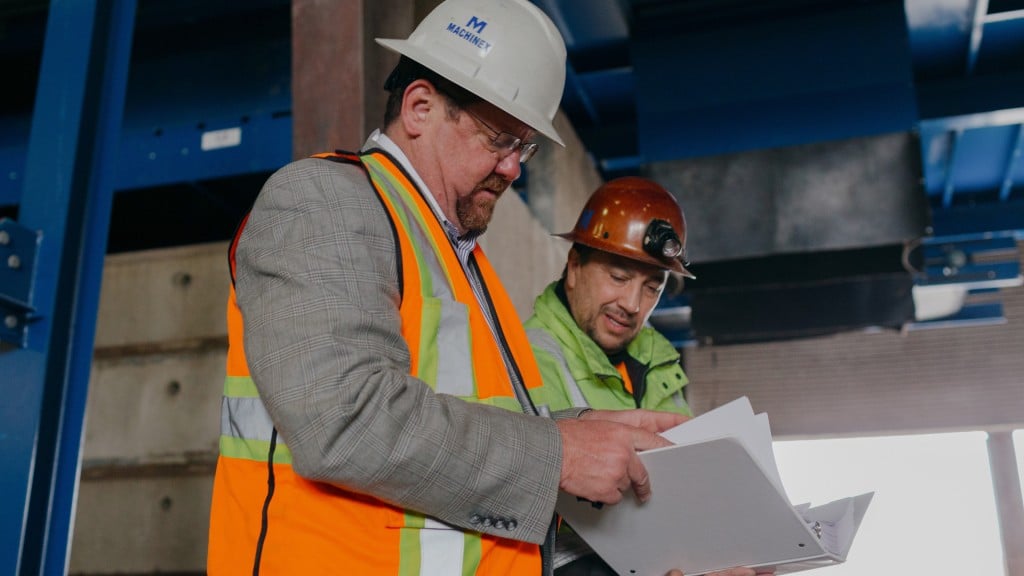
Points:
[(67, 197)]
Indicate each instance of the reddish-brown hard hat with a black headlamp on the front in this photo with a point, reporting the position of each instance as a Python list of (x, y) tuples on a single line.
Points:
[(636, 219)]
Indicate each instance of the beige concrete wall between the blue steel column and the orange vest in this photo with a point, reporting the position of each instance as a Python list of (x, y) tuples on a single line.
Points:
[(153, 414)]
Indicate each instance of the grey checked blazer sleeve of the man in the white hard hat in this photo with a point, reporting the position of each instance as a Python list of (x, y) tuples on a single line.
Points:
[(317, 282)]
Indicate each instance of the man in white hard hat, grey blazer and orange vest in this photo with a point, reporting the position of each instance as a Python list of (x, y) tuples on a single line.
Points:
[(363, 432)]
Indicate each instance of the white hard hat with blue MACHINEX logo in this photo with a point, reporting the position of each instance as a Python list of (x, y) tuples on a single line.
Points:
[(505, 52)]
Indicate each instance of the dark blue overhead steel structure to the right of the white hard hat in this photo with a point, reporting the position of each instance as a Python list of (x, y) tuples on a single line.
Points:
[(666, 88)]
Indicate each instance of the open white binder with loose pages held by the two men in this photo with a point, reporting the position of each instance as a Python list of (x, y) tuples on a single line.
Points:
[(717, 503)]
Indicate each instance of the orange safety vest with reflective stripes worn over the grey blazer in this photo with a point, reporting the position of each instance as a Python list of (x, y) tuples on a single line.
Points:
[(268, 520)]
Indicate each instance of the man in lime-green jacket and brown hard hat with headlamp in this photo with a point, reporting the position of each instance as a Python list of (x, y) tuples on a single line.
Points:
[(589, 330)]
